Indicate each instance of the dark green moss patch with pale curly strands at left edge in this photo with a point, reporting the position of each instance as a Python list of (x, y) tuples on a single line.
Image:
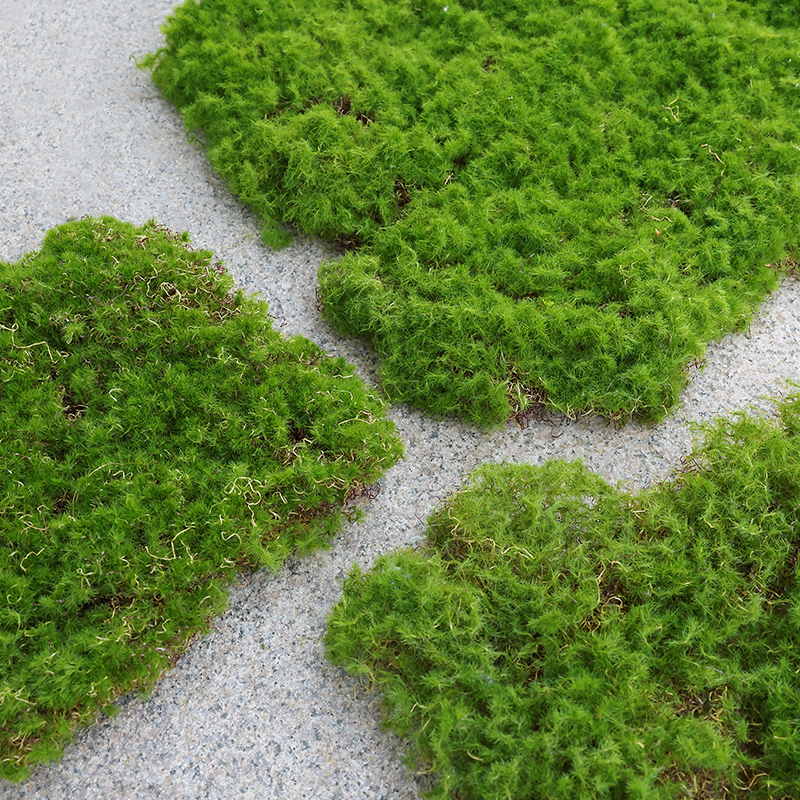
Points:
[(157, 437)]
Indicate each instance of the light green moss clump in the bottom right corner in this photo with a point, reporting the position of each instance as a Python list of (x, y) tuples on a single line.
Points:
[(561, 639)]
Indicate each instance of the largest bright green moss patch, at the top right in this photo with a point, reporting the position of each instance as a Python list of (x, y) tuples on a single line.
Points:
[(545, 202)]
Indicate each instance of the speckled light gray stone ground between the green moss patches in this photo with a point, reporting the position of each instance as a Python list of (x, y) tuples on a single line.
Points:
[(254, 710)]
